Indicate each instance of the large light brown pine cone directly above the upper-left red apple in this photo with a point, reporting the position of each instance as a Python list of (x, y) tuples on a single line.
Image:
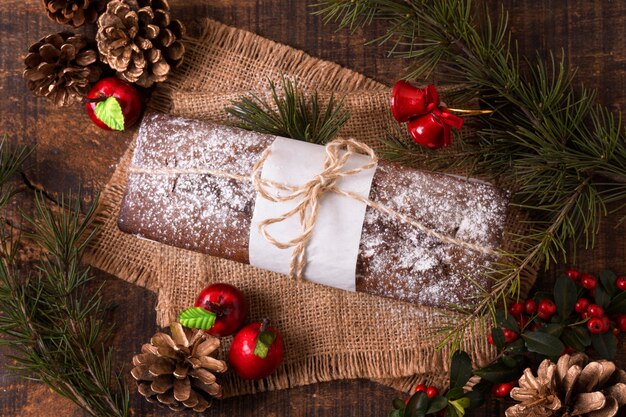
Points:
[(139, 40)]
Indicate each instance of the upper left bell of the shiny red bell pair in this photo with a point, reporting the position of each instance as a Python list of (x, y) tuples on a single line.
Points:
[(408, 101)]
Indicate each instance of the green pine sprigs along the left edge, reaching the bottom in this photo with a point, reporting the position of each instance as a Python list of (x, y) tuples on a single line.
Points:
[(53, 325)]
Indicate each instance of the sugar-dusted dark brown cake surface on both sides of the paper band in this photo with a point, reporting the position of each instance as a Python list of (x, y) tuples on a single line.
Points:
[(212, 213)]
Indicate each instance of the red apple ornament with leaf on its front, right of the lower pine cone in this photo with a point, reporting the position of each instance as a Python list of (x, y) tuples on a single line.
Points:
[(257, 350)]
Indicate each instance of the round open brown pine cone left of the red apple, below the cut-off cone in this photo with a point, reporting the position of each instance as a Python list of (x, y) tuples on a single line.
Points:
[(61, 67)]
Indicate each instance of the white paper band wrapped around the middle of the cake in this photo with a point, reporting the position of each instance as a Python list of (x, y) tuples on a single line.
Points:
[(332, 252)]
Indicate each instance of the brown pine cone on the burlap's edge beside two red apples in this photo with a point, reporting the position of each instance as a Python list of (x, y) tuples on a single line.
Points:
[(178, 371)]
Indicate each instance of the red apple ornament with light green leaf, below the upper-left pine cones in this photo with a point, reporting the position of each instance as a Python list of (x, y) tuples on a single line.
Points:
[(113, 104)]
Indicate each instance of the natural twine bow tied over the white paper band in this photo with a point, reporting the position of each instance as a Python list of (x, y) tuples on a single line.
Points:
[(337, 154)]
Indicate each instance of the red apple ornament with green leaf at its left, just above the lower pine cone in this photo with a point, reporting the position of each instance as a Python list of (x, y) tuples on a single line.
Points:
[(224, 309)]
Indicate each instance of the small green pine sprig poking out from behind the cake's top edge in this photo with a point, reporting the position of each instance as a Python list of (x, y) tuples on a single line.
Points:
[(290, 114)]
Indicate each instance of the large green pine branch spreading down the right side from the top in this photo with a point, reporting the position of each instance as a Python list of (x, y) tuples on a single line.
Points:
[(563, 155)]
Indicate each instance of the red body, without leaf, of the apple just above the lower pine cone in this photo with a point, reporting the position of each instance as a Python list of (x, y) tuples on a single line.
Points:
[(229, 305)]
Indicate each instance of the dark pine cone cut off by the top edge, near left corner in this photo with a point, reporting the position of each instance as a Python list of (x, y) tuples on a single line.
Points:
[(74, 12)]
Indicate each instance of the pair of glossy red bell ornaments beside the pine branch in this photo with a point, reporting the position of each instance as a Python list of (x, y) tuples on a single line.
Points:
[(429, 123)]
